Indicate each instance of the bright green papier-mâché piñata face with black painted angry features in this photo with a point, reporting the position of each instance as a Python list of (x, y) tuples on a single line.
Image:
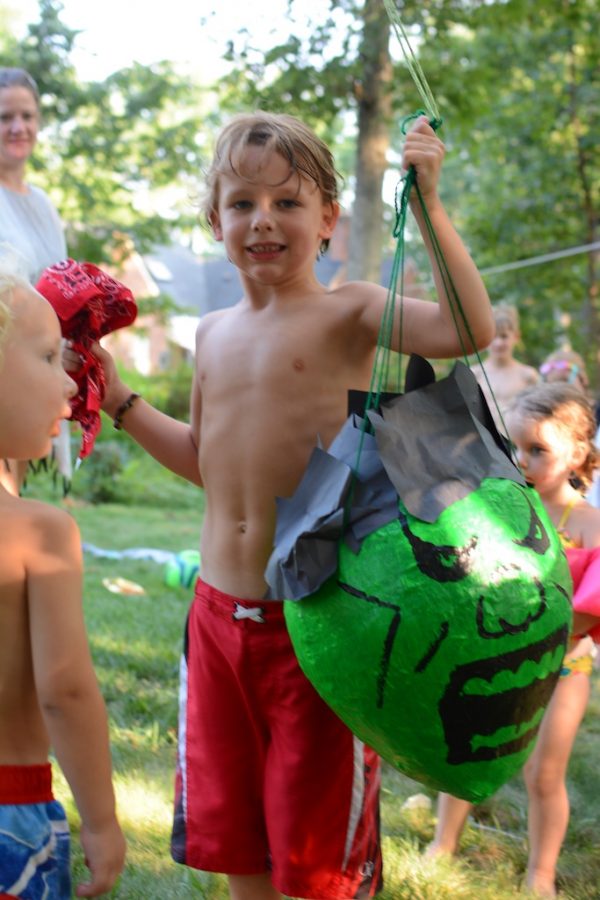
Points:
[(439, 644)]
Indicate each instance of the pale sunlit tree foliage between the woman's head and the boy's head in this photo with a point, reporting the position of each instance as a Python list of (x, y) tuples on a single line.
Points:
[(102, 142)]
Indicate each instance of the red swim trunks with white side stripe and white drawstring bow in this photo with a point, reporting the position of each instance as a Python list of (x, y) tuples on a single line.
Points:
[(268, 778)]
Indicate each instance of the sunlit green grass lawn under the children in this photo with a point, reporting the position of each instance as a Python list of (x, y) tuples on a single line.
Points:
[(136, 643)]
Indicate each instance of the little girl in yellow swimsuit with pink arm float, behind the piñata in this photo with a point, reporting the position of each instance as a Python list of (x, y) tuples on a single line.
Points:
[(552, 427)]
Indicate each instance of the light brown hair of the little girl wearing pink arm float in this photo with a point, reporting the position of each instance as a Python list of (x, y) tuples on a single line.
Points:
[(570, 411)]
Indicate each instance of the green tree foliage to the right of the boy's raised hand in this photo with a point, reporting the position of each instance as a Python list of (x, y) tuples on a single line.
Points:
[(526, 180)]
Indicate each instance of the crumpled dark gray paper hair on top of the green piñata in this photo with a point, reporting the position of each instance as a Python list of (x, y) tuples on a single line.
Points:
[(432, 446)]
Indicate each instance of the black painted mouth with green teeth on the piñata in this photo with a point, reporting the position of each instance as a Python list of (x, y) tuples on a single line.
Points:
[(470, 717)]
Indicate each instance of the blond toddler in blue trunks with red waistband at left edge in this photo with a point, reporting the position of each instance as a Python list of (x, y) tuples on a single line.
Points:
[(49, 695)]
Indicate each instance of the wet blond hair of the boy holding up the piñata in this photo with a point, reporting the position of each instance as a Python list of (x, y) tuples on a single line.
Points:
[(307, 155)]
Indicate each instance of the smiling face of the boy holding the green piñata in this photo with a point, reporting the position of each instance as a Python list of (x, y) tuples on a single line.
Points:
[(271, 219)]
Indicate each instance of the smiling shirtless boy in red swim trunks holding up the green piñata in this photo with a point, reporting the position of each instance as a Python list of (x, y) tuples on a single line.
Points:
[(271, 788)]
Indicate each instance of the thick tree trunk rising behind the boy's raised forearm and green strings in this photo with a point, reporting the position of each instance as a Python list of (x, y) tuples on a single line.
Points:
[(374, 111)]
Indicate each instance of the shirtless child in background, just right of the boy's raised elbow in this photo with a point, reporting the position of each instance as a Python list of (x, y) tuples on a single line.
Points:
[(502, 376)]
